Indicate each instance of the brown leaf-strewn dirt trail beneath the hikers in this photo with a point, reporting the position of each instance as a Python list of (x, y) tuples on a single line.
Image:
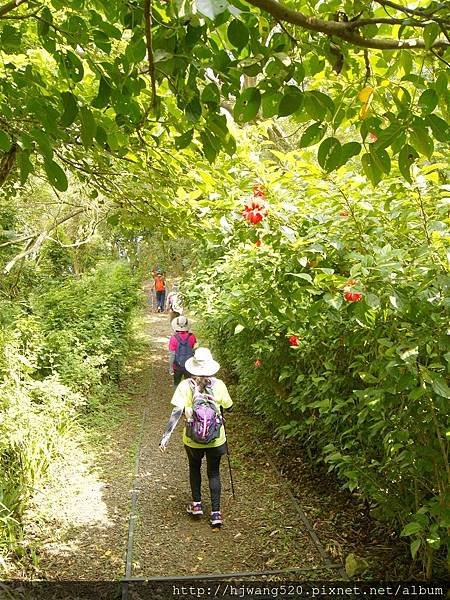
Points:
[(261, 529)]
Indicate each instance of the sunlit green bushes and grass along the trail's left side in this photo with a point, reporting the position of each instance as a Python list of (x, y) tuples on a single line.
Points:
[(57, 362)]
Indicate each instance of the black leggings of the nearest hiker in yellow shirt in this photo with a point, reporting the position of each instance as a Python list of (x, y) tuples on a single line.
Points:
[(213, 456)]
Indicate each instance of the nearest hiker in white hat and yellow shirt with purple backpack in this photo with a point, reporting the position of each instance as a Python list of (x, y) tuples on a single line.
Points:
[(201, 398)]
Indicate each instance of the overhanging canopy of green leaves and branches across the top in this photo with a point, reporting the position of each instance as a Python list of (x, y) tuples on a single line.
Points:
[(90, 86)]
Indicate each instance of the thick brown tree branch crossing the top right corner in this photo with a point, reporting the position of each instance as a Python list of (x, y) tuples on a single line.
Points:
[(340, 29)]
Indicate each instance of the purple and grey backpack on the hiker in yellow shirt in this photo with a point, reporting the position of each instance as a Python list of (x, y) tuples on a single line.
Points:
[(204, 424)]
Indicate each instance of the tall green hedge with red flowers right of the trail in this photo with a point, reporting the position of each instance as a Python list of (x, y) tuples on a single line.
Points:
[(366, 388)]
